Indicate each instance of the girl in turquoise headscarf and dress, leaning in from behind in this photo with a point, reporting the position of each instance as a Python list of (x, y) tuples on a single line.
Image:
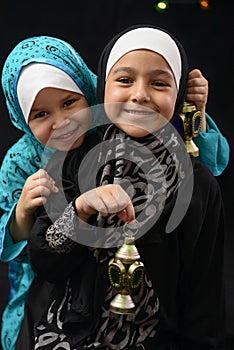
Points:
[(45, 82)]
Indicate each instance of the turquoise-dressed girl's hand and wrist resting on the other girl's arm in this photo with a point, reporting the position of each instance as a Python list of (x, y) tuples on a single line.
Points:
[(36, 189)]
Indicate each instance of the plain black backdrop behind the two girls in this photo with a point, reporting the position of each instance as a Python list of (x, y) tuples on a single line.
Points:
[(207, 37)]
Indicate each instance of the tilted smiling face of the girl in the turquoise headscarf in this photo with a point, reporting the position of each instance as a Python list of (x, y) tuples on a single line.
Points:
[(55, 121)]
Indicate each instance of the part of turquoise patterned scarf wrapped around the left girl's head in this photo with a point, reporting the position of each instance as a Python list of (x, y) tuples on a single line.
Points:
[(48, 50)]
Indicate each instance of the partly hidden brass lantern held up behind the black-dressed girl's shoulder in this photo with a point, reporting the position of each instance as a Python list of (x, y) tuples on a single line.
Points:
[(191, 125)]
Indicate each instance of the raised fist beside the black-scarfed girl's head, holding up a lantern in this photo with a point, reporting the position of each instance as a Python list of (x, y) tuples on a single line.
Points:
[(197, 92)]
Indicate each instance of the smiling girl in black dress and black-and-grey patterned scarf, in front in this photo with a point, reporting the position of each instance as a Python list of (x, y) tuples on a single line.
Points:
[(142, 75)]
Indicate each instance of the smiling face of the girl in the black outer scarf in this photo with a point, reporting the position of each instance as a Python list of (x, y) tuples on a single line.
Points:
[(144, 86)]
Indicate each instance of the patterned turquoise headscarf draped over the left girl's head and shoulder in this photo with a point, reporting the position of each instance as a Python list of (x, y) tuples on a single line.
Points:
[(24, 157)]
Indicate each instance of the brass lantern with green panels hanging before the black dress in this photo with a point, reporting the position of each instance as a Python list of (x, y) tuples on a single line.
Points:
[(125, 272)]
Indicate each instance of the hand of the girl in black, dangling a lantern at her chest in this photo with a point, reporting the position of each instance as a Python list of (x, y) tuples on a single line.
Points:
[(106, 200)]
